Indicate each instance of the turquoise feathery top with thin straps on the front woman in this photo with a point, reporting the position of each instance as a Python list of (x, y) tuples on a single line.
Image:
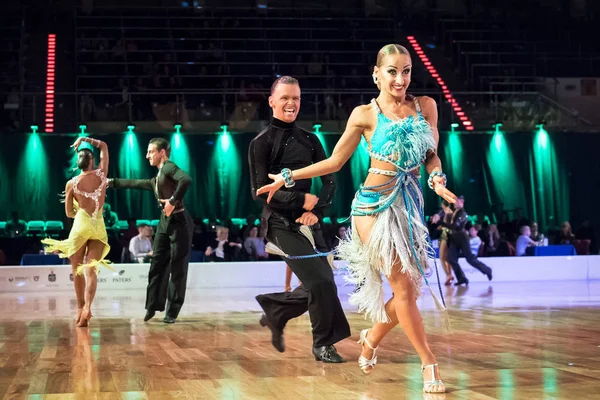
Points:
[(403, 142)]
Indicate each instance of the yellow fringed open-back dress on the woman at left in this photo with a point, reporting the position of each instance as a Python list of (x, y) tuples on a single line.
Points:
[(85, 227)]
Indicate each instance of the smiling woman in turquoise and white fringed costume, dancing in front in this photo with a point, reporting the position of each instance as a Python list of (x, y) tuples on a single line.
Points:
[(389, 235)]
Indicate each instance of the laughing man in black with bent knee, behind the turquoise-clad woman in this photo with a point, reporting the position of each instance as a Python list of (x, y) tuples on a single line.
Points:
[(284, 145)]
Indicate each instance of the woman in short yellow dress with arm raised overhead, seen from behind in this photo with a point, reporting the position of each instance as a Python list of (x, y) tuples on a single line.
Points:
[(87, 244)]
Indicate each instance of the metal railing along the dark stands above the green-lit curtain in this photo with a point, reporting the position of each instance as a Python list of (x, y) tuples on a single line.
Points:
[(516, 110)]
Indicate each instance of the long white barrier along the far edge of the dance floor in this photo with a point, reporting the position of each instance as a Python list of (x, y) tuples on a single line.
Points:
[(272, 274)]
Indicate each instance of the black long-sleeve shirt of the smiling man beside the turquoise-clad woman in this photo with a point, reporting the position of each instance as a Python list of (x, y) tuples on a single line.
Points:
[(284, 145)]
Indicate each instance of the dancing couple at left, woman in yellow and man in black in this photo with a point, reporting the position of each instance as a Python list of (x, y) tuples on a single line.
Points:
[(87, 245)]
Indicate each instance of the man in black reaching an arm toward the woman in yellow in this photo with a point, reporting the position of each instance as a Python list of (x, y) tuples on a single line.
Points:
[(173, 239)]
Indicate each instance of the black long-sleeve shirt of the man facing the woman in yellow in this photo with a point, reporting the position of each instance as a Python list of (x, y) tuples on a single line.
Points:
[(173, 183)]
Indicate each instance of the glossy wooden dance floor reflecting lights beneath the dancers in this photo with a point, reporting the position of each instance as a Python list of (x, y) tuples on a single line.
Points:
[(537, 340)]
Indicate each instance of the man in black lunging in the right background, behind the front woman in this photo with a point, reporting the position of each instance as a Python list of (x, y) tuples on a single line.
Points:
[(459, 242)]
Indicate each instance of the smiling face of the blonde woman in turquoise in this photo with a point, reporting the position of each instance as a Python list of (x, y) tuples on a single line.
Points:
[(393, 75)]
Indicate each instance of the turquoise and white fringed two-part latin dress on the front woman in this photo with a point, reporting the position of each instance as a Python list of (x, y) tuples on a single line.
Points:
[(397, 207)]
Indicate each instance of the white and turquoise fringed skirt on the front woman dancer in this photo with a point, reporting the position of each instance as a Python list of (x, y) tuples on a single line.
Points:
[(399, 234)]
